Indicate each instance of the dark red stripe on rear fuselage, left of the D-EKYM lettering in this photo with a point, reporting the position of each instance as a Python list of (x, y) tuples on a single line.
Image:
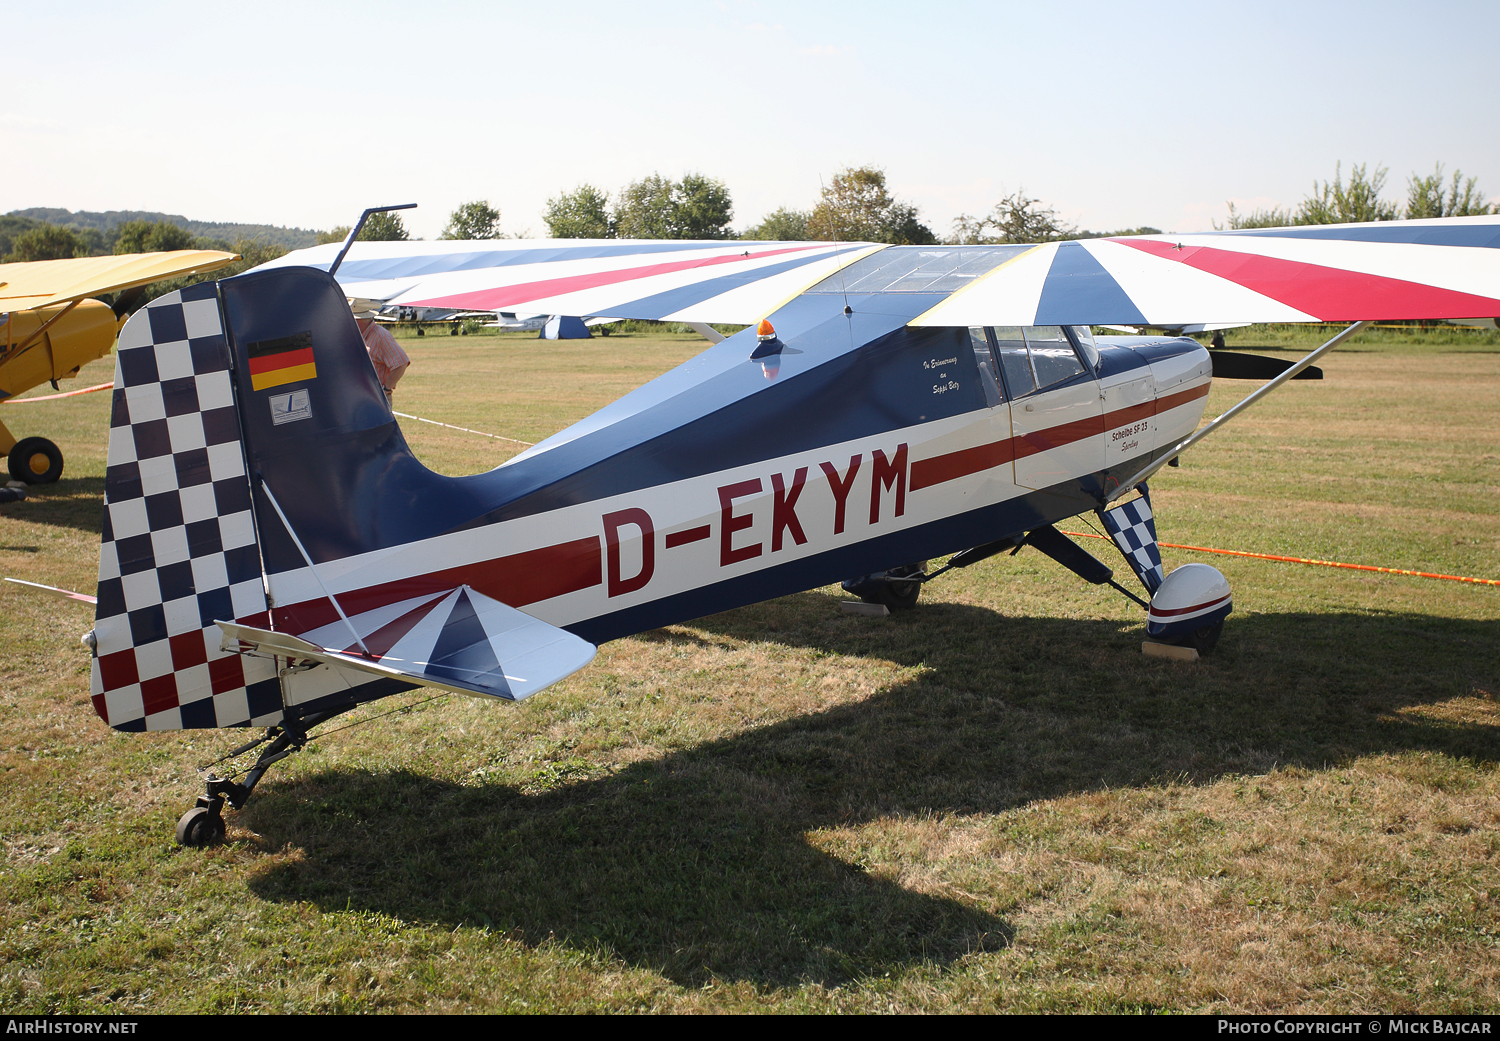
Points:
[(517, 580)]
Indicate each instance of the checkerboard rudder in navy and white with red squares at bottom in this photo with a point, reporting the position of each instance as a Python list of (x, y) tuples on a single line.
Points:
[(179, 542)]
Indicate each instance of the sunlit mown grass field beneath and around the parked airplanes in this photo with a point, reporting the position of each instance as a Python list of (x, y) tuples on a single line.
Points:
[(992, 803)]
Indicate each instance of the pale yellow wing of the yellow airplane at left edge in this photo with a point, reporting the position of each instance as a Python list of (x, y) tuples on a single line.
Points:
[(40, 284)]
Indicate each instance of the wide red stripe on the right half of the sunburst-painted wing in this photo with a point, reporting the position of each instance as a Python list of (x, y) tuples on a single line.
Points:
[(1327, 293)]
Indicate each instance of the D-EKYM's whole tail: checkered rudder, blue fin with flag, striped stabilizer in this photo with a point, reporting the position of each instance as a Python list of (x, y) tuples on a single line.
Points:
[(250, 445)]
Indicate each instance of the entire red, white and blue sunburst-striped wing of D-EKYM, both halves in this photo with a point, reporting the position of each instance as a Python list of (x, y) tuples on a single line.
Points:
[(1361, 272)]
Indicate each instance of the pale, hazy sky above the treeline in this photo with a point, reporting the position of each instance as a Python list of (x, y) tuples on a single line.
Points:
[(1117, 115)]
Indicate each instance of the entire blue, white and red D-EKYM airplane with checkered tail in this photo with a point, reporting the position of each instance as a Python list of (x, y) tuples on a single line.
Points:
[(274, 554)]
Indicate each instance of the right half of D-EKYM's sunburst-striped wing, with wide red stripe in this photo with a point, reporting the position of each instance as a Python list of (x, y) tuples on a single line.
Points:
[(1366, 272)]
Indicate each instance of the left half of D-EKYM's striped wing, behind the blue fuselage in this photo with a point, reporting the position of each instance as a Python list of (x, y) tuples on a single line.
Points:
[(658, 280)]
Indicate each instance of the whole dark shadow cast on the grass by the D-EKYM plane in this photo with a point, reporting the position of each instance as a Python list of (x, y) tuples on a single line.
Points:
[(698, 865)]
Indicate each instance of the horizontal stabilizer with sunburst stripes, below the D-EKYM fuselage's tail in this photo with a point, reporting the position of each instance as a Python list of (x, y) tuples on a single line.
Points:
[(460, 641)]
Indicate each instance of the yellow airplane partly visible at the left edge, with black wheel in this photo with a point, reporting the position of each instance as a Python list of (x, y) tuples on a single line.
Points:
[(50, 329)]
